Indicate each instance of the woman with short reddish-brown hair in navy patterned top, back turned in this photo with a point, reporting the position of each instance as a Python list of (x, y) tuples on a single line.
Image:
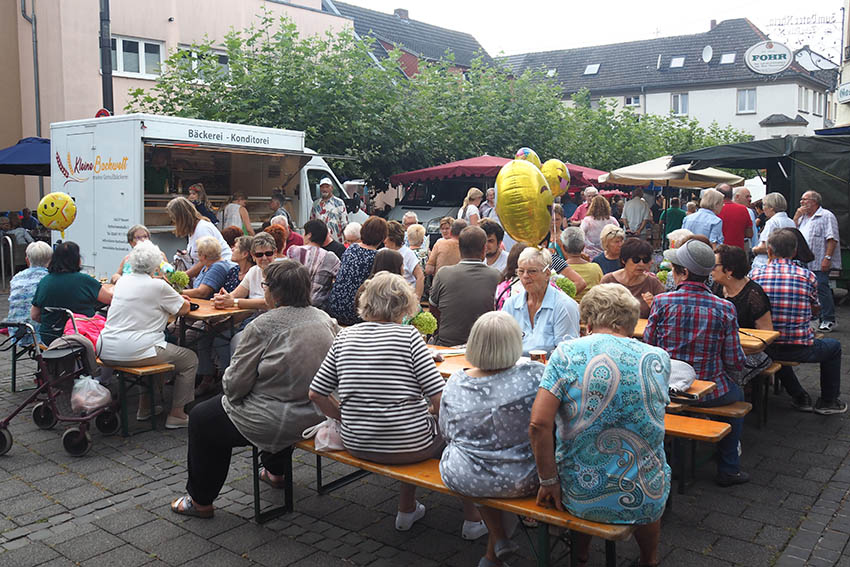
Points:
[(355, 267)]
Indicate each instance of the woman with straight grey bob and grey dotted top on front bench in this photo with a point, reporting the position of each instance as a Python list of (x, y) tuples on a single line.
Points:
[(484, 416)]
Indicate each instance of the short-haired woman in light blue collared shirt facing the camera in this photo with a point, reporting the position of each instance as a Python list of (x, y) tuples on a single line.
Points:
[(545, 314)]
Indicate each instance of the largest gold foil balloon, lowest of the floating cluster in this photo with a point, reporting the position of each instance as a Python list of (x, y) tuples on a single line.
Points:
[(524, 202)]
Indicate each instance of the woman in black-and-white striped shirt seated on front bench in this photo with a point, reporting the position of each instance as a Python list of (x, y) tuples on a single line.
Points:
[(385, 378)]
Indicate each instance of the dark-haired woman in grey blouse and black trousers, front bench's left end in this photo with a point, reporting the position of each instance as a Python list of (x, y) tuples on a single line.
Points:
[(265, 387)]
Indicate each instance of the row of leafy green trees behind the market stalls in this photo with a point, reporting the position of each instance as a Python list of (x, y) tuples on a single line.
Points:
[(330, 87)]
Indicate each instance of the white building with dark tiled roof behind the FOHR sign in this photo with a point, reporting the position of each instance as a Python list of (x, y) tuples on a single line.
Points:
[(702, 76)]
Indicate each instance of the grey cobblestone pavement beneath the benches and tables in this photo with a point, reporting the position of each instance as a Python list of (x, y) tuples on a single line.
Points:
[(110, 507)]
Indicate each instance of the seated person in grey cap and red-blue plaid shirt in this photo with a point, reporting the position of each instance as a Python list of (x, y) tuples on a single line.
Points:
[(697, 327)]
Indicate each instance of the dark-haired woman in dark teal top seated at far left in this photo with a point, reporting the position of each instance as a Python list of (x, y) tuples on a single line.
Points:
[(65, 286)]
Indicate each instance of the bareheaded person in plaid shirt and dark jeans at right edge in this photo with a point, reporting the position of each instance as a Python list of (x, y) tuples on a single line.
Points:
[(793, 293)]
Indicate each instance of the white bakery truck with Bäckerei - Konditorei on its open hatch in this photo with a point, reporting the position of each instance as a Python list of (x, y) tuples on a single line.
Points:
[(123, 170)]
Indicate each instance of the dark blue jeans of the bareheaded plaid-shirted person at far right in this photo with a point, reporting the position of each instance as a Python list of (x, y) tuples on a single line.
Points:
[(825, 351)]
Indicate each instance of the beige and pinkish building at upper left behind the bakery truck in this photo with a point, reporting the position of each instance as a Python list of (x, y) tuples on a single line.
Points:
[(143, 36)]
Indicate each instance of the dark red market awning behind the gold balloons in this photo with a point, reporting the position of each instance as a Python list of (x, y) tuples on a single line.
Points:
[(488, 166)]
